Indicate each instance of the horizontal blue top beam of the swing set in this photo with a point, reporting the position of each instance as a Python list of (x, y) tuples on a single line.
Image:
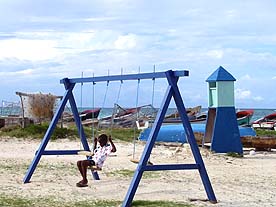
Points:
[(138, 76)]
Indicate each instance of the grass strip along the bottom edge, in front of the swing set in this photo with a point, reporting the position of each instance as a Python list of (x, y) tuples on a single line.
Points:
[(15, 201)]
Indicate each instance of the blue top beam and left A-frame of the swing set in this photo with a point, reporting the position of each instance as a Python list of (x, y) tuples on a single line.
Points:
[(69, 85)]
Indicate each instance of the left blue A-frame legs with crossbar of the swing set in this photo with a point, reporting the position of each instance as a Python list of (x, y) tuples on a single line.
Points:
[(41, 150)]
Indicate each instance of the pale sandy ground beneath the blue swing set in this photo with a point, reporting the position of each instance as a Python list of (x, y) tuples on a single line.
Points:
[(248, 181)]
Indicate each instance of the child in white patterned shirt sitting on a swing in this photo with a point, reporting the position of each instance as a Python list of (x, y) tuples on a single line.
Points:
[(99, 155)]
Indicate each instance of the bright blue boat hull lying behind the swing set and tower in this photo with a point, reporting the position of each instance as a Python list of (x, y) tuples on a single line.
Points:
[(176, 133)]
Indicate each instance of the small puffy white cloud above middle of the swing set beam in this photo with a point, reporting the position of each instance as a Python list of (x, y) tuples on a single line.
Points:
[(126, 42)]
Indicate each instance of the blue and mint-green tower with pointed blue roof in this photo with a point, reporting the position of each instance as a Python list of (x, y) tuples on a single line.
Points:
[(222, 126)]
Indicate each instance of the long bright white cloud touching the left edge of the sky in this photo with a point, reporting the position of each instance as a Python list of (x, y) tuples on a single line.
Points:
[(26, 49)]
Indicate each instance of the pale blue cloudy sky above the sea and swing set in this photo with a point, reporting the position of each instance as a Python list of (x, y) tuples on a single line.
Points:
[(44, 41)]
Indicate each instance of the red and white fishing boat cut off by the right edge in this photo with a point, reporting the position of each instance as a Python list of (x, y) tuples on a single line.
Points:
[(266, 122)]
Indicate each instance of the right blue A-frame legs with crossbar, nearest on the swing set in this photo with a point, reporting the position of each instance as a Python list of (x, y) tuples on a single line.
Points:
[(172, 91)]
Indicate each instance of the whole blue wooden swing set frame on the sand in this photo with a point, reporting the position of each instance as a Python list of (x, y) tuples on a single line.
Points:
[(171, 92)]
